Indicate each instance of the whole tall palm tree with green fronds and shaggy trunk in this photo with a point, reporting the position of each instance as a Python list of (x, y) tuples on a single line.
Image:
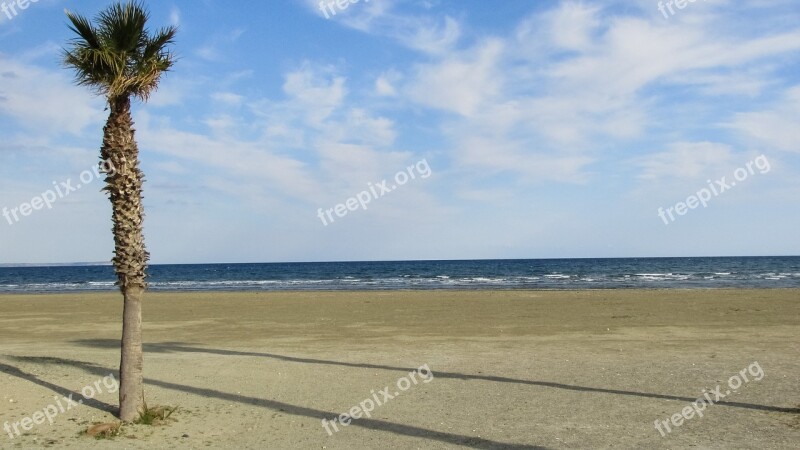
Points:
[(118, 58)]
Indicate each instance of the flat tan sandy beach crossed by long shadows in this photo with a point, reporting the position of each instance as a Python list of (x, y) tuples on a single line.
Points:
[(511, 369)]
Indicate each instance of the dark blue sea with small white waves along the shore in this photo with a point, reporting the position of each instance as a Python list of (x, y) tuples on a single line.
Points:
[(603, 273)]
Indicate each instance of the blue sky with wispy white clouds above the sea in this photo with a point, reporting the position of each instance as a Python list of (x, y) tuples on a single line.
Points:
[(418, 129)]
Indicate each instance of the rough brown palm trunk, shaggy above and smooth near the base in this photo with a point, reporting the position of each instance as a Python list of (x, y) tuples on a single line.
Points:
[(124, 186)]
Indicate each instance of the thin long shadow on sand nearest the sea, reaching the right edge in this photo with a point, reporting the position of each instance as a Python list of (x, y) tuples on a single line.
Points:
[(178, 347)]
